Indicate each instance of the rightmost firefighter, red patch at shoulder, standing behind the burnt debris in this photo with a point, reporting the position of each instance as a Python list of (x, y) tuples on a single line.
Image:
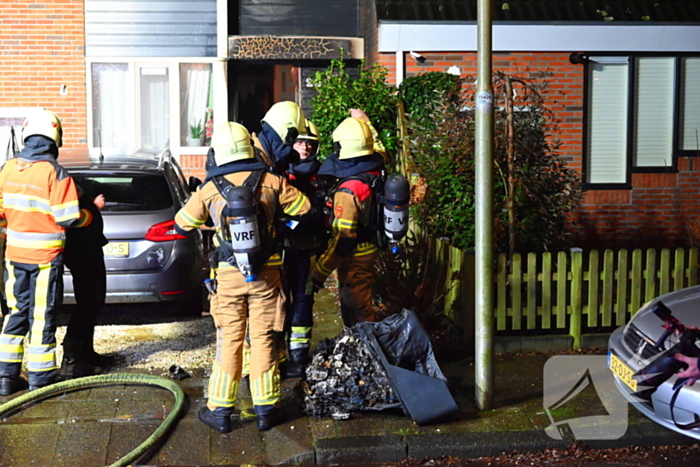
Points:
[(352, 249)]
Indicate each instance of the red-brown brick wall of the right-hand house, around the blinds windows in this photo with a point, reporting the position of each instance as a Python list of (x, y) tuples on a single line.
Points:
[(660, 209)]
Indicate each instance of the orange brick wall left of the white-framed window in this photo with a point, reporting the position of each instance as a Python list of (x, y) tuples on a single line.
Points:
[(42, 48)]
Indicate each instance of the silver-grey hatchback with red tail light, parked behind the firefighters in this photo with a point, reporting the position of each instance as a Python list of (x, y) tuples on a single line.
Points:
[(146, 259)]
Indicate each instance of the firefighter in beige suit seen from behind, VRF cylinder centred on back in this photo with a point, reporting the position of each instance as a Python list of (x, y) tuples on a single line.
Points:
[(243, 199)]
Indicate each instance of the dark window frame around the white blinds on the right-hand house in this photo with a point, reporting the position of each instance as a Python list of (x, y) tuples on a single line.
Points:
[(629, 135)]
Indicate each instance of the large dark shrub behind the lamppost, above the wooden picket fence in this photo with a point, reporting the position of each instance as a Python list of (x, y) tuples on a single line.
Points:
[(442, 149)]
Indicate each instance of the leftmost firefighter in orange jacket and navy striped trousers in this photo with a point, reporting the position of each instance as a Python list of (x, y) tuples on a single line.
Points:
[(39, 200)]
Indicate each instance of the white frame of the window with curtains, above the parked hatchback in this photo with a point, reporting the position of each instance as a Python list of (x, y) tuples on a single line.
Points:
[(136, 63)]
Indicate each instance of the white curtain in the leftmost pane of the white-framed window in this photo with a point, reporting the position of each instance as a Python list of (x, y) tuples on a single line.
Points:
[(111, 107)]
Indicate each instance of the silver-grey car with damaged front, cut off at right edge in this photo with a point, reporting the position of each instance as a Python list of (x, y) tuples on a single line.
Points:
[(632, 347)]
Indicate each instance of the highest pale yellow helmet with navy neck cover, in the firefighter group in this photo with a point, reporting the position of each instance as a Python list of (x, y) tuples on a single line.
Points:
[(280, 127)]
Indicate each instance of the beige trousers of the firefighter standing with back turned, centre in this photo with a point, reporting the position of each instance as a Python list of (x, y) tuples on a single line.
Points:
[(260, 306)]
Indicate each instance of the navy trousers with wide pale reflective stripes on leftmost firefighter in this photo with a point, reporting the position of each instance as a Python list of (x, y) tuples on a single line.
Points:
[(34, 293)]
